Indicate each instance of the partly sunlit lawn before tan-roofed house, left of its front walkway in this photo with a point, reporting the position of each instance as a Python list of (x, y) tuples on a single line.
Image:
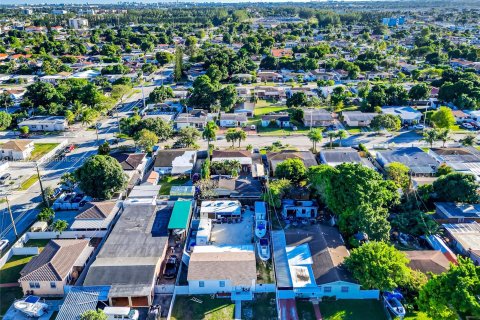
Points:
[(209, 309)]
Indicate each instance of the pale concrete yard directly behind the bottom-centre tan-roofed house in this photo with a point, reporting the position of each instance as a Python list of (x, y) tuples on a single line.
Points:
[(235, 233)]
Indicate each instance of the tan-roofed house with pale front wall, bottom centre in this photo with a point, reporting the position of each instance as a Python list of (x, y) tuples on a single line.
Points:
[(227, 270)]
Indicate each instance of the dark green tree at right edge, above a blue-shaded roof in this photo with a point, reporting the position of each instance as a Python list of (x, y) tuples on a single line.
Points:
[(456, 187)]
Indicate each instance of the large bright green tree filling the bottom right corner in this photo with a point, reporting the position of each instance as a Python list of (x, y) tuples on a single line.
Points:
[(452, 293)]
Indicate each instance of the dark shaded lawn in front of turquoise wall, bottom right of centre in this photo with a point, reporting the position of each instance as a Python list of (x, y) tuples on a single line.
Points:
[(352, 310)]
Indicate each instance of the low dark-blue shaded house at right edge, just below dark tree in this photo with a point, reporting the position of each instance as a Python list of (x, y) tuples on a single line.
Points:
[(450, 212)]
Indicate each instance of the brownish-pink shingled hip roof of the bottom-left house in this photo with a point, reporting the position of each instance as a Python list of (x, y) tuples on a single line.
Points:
[(55, 261)]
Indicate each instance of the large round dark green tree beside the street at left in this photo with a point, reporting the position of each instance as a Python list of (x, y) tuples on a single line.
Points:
[(101, 176)]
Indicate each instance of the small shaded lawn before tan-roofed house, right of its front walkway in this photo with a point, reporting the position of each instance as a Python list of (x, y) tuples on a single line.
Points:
[(263, 307)]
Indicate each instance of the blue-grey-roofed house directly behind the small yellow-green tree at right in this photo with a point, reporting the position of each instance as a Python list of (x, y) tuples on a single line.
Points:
[(419, 162)]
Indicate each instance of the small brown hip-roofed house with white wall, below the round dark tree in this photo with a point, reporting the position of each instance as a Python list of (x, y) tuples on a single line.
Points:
[(96, 215)]
